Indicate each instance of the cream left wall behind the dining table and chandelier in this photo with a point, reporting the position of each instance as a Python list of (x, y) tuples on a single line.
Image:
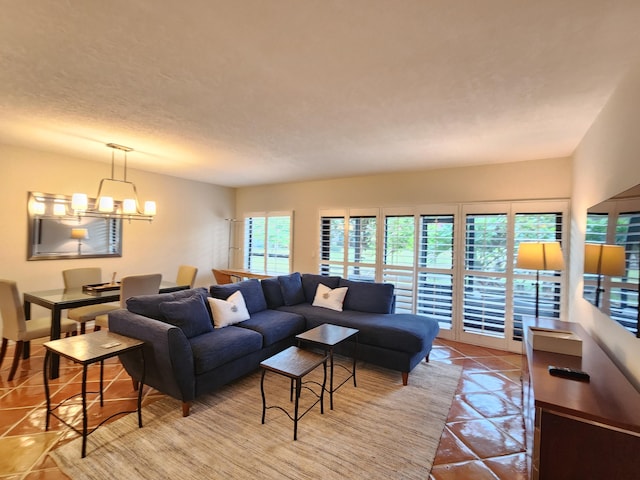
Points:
[(188, 229)]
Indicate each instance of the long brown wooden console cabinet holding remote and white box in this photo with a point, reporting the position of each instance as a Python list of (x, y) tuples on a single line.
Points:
[(580, 430)]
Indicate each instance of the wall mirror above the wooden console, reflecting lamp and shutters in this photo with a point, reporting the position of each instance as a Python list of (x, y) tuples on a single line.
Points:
[(615, 222)]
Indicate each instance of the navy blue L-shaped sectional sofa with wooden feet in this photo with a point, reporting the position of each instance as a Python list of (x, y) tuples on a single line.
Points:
[(186, 357)]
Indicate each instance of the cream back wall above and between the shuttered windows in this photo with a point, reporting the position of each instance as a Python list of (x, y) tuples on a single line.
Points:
[(538, 179)]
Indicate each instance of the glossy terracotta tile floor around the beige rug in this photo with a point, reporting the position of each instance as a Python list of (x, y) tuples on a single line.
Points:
[(484, 436)]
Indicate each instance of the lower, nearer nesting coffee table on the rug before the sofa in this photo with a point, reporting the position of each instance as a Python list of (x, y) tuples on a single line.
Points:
[(294, 363)]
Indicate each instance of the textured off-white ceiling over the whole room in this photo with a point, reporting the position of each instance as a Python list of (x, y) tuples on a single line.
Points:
[(251, 92)]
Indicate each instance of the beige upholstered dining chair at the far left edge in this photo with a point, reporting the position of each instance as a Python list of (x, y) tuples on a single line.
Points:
[(15, 327)]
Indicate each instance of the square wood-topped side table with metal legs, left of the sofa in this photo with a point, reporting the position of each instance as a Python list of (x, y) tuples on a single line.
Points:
[(85, 350)]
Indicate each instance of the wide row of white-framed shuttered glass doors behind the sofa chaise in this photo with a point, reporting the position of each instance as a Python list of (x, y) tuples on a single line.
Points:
[(455, 264)]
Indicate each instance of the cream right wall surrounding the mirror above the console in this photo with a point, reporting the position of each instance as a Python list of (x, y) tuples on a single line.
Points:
[(606, 162)]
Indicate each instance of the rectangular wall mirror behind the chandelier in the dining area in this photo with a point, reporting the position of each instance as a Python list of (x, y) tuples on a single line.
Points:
[(56, 233)]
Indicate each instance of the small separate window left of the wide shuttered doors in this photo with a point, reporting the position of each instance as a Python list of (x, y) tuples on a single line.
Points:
[(267, 242)]
